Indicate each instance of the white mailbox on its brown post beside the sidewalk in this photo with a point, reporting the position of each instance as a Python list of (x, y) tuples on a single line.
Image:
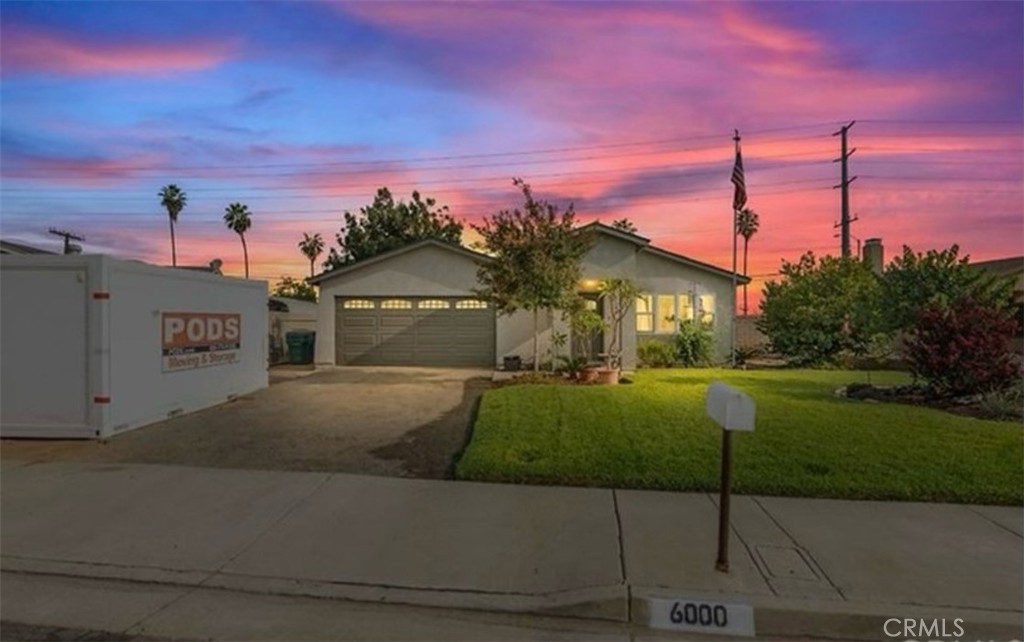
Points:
[(732, 410)]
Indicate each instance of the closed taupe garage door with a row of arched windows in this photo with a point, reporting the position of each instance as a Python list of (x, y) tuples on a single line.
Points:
[(420, 331)]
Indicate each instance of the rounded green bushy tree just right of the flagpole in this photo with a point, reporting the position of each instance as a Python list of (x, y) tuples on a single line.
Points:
[(821, 310)]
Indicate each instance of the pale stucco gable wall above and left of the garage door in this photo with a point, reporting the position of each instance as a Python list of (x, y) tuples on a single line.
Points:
[(430, 271)]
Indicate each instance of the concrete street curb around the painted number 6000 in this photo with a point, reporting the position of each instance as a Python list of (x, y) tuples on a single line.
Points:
[(775, 618)]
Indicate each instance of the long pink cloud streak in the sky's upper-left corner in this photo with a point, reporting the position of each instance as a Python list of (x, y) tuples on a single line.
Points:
[(28, 49)]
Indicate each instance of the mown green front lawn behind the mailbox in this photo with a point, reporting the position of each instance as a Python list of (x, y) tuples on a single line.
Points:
[(655, 435)]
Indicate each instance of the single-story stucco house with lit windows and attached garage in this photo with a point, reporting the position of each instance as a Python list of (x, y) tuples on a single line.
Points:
[(417, 306)]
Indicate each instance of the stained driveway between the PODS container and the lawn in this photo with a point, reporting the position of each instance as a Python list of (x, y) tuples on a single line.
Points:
[(406, 422)]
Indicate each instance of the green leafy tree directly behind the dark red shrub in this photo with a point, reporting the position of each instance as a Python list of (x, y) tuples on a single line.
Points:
[(913, 282)]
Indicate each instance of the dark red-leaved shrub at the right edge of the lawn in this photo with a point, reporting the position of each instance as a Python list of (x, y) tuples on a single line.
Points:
[(963, 349)]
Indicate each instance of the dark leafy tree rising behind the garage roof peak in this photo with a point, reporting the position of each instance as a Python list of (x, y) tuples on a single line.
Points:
[(386, 226)]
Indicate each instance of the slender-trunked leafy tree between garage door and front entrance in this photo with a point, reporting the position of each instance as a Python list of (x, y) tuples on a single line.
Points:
[(538, 254)]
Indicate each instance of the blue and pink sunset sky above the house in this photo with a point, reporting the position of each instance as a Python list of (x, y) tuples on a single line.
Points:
[(303, 110)]
